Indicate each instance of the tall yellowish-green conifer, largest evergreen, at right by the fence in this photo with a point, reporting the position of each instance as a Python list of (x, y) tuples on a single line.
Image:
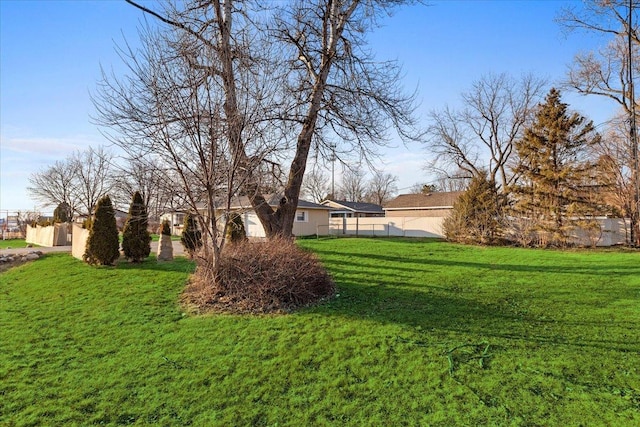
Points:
[(555, 174)]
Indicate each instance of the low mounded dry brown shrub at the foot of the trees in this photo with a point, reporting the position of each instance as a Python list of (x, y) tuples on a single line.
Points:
[(259, 277)]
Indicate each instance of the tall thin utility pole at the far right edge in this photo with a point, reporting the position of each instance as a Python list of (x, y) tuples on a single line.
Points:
[(633, 134)]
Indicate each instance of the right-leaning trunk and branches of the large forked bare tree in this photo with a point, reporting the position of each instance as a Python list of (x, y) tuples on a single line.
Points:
[(336, 87)]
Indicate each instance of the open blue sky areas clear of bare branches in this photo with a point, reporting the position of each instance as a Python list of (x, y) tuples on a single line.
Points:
[(51, 52)]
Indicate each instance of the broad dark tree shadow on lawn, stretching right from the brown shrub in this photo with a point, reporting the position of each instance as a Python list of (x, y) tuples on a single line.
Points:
[(444, 311)]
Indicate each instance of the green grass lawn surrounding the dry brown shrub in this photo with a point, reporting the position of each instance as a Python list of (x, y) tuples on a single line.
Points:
[(422, 333)]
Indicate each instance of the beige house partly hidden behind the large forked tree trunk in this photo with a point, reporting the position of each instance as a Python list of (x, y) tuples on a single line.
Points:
[(311, 218)]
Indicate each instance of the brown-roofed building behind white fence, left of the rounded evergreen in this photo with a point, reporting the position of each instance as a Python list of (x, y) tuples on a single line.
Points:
[(422, 205)]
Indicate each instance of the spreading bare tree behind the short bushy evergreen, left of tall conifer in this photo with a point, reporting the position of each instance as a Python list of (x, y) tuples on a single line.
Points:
[(482, 135)]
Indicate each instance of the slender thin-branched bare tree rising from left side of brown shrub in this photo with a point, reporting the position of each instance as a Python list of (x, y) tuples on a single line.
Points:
[(173, 106)]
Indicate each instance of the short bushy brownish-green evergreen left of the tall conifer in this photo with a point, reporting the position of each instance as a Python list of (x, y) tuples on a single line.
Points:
[(477, 214)]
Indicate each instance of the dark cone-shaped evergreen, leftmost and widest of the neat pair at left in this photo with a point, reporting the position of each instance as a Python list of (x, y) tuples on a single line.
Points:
[(102, 243)]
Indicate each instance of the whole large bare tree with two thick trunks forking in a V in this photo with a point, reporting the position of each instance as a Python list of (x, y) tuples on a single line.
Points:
[(329, 83)]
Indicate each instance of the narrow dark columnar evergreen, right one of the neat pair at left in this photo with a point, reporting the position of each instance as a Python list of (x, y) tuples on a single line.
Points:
[(136, 240)]
